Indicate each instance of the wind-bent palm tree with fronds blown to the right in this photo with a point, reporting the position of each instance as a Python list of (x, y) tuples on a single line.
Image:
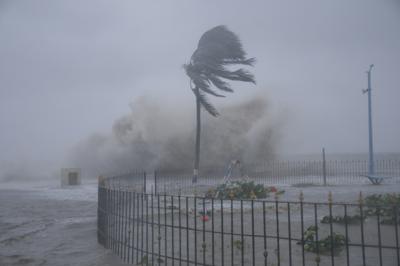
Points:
[(217, 49)]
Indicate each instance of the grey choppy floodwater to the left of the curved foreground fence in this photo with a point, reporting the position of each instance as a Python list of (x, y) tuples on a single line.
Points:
[(48, 225)]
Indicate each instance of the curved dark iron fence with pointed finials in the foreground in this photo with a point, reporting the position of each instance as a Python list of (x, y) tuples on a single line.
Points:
[(154, 229)]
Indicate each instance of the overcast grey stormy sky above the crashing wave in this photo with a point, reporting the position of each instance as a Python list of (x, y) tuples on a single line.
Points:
[(69, 69)]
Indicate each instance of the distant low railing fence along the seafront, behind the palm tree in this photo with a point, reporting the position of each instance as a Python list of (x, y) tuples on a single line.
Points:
[(280, 172)]
